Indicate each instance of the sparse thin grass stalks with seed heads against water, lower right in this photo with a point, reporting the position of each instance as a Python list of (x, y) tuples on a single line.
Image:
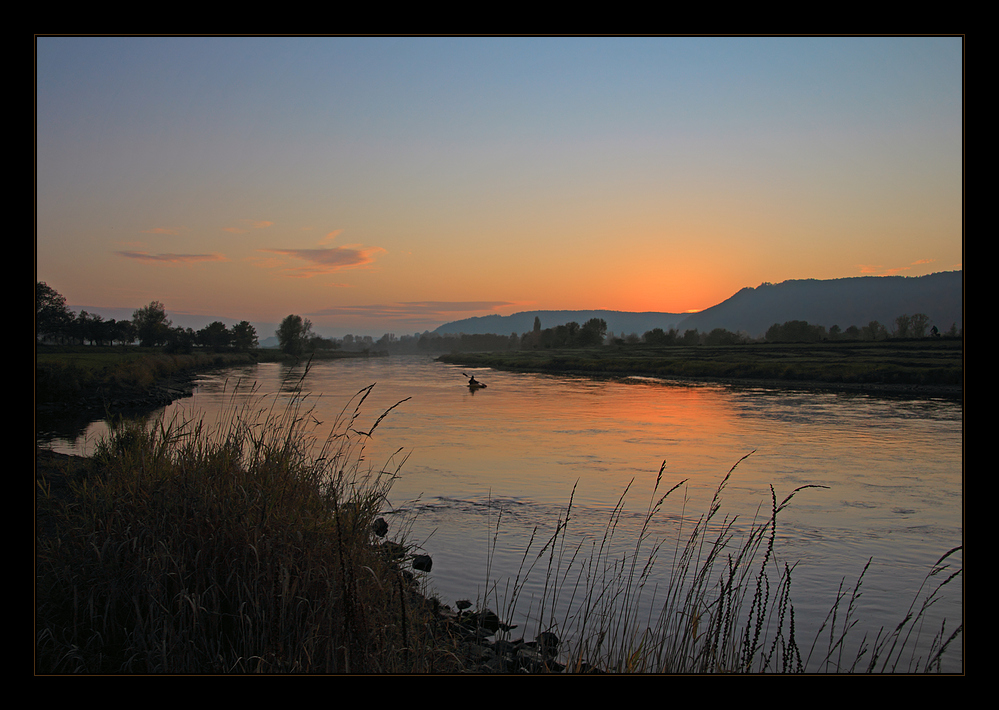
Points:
[(723, 603)]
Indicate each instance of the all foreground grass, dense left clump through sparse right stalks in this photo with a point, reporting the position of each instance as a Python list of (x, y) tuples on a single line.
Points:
[(258, 546)]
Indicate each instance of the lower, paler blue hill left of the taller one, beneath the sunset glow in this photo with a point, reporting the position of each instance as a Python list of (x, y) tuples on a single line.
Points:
[(617, 322)]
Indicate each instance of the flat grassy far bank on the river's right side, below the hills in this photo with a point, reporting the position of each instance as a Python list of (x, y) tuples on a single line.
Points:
[(935, 365)]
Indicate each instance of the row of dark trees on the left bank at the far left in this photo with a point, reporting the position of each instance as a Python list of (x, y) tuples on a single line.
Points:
[(149, 326)]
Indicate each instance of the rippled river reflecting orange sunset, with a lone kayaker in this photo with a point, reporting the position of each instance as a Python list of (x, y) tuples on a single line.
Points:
[(482, 473)]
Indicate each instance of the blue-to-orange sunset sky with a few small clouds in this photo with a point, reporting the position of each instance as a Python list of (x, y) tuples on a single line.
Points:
[(392, 184)]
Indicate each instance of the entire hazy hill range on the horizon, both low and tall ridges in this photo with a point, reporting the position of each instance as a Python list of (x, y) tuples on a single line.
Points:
[(843, 302)]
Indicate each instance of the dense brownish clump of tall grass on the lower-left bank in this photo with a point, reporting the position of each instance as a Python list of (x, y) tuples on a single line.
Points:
[(244, 547)]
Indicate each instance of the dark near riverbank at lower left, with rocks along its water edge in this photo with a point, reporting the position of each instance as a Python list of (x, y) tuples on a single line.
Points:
[(429, 637)]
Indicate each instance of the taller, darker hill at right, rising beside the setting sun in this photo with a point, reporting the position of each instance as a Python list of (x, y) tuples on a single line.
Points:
[(843, 302)]
